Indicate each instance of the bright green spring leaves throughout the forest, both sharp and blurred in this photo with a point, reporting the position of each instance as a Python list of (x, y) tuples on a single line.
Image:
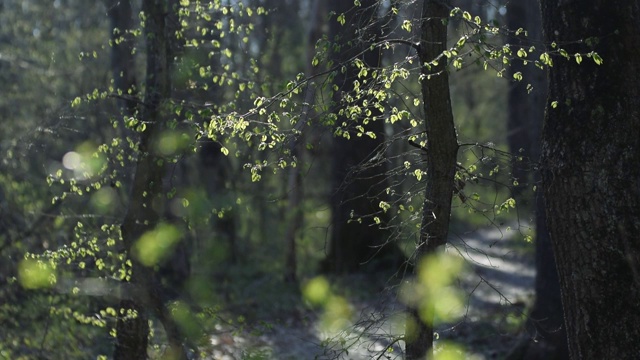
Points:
[(68, 157)]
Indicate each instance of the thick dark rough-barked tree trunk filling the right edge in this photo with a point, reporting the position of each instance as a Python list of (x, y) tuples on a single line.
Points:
[(591, 177)]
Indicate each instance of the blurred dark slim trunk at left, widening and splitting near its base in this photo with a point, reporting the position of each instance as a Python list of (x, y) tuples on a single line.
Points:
[(147, 201)]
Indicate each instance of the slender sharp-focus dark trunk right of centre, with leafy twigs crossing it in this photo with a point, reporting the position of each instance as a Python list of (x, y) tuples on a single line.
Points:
[(441, 156)]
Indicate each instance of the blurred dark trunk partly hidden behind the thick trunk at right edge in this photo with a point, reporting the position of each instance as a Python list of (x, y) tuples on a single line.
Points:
[(526, 113)]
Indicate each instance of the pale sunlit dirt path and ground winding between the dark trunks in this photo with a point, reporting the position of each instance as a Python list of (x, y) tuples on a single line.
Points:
[(499, 283)]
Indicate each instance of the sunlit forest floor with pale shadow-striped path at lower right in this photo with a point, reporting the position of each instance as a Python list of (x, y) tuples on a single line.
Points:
[(498, 288)]
